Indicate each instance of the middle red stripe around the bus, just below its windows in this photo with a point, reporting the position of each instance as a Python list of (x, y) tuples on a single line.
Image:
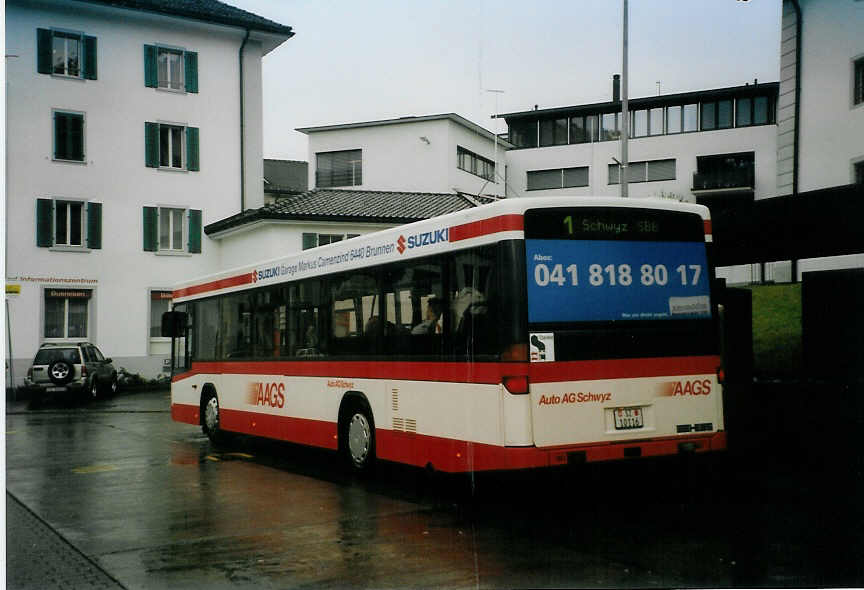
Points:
[(464, 372)]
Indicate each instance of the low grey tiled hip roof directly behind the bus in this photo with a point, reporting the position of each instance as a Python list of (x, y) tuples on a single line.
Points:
[(354, 206)]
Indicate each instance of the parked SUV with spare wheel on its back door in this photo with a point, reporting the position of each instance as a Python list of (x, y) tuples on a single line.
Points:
[(77, 368)]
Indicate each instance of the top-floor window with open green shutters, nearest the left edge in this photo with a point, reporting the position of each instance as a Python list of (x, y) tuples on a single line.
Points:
[(66, 53)]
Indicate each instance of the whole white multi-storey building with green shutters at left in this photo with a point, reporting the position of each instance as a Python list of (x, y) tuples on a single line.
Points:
[(130, 125)]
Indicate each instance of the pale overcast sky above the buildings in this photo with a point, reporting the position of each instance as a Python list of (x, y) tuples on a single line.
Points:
[(354, 61)]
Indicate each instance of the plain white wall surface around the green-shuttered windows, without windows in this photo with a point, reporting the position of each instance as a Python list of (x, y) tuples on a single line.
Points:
[(116, 106)]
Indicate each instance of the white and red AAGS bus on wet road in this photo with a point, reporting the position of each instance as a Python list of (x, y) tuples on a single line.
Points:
[(523, 333)]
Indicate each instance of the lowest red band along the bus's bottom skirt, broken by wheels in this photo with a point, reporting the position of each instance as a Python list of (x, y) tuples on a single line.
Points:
[(449, 455)]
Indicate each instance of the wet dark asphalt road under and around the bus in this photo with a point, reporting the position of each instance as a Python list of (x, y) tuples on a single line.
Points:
[(154, 505)]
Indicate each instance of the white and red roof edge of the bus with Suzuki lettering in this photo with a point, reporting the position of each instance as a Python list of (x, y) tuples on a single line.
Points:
[(493, 222)]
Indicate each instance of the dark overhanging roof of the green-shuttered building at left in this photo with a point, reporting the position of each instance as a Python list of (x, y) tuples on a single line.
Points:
[(211, 11)]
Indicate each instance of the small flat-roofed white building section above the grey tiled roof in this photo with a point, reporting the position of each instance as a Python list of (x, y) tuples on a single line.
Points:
[(433, 153)]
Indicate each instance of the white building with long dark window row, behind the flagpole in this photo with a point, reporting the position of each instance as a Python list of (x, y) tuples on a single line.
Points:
[(707, 146)]
